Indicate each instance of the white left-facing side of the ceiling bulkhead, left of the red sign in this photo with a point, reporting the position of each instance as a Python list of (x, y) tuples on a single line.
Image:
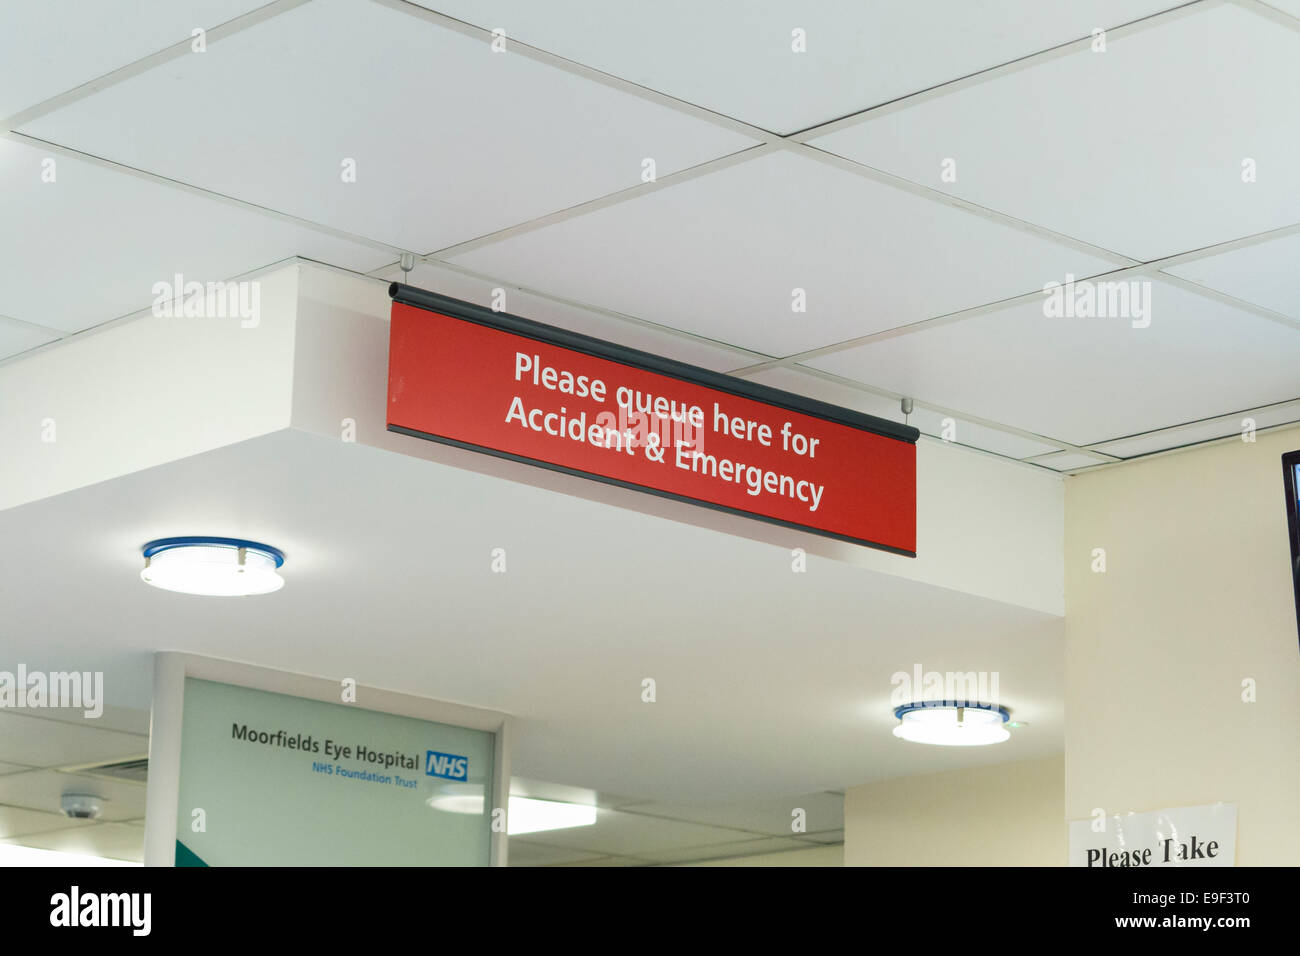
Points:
[(144, 392)]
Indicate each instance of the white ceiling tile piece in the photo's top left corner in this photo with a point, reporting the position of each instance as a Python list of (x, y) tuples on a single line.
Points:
[(49, 47)]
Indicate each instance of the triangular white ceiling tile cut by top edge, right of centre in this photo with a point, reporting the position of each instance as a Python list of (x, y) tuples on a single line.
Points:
[(740, 62)]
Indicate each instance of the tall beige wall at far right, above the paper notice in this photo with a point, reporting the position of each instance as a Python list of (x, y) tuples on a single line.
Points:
[(1197, 598)]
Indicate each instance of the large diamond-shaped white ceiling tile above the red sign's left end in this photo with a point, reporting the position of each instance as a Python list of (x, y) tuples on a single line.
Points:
[(449, 140)]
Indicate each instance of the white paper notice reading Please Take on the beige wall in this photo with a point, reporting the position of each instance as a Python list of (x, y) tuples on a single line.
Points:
[(1178, 837)]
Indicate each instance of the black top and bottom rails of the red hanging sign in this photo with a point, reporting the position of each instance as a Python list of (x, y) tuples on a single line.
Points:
[(635, 358)]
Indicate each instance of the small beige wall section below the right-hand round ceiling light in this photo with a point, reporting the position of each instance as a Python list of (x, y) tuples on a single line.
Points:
[(1007, 815)]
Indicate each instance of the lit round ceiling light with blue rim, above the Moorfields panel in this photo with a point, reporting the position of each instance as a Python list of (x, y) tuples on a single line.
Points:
[(215, 566)]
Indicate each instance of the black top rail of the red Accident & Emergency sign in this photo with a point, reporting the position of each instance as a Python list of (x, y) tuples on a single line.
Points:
[(577, 341)]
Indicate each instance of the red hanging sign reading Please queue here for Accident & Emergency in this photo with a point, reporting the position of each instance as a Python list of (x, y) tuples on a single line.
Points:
[(508, 387)]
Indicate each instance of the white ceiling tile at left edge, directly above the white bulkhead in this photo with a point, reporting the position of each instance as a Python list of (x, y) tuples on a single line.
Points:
[(89, 246)]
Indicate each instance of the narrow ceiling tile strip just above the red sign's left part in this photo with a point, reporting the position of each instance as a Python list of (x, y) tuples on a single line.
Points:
[(714, 357)]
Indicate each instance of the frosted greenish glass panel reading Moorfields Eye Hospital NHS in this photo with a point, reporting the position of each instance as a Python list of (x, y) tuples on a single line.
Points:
[(287, 781)]
